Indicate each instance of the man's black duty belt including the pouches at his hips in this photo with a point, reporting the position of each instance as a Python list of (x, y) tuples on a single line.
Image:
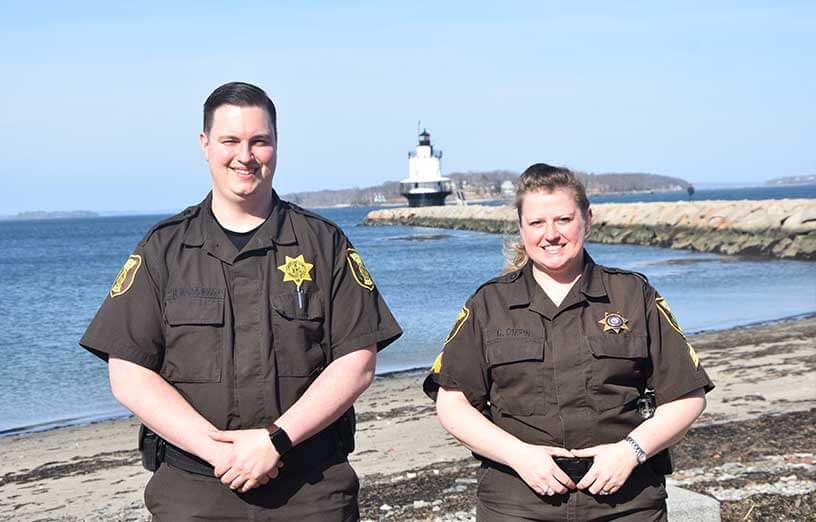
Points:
[(312, 452)]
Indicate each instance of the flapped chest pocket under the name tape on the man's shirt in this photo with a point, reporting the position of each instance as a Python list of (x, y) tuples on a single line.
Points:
[(194, 337)]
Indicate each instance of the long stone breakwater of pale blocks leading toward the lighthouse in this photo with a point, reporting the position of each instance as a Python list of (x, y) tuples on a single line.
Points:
[(783, 228)]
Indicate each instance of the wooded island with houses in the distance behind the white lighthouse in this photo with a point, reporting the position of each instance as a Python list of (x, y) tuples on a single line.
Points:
[(482, 186)]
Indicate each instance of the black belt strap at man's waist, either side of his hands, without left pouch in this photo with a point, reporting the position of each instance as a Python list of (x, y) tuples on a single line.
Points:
[(311, 452)]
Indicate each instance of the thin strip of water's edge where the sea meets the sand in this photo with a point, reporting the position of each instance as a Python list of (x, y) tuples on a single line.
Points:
[(90, 419)]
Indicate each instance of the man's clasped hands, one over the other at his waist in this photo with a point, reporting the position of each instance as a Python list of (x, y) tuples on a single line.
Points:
[(244, 459)]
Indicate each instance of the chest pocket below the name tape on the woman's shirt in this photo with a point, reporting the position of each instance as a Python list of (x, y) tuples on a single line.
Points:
[(522, 381)]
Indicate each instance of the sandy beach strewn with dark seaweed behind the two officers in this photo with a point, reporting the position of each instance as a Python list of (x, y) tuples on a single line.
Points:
[(753, 448)]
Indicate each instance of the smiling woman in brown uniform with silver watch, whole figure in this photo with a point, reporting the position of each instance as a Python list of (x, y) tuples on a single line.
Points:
[(544, 375)]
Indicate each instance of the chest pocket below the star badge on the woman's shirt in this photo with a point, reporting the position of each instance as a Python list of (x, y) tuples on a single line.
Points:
[(618, 368)]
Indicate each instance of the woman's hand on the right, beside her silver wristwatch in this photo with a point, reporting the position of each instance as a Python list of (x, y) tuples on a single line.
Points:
[(613, 463)]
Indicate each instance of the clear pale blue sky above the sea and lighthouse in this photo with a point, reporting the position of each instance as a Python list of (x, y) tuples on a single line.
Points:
[(100, 105)]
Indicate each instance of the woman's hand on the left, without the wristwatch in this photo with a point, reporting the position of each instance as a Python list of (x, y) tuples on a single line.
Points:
[(535, 465)]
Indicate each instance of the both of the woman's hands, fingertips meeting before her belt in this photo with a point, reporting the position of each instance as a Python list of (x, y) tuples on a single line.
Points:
[(612, 465)]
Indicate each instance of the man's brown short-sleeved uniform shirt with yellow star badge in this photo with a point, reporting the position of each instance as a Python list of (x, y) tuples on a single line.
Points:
[(228, 329)]
